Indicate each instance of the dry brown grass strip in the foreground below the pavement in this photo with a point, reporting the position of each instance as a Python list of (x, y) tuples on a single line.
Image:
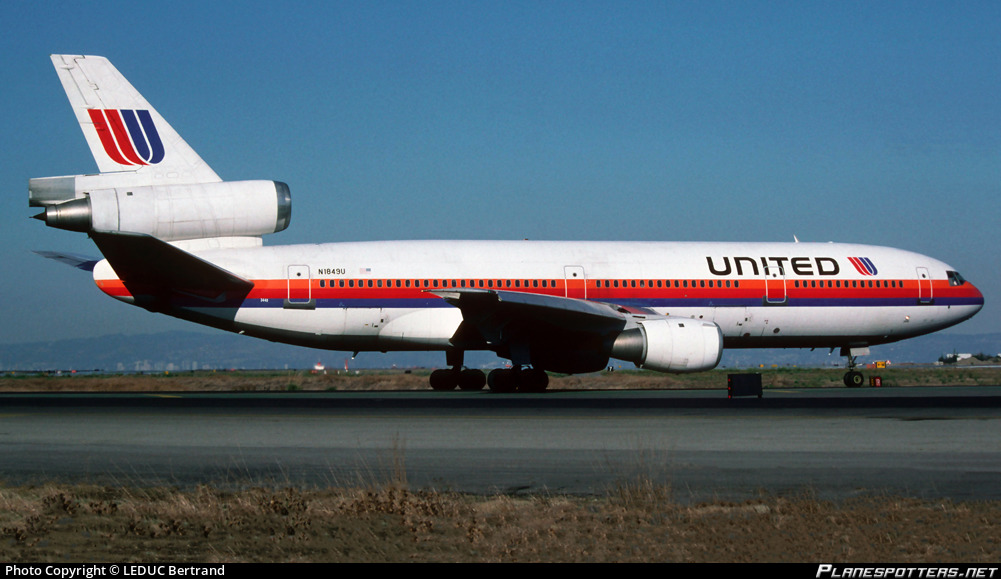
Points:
[(392, 523)]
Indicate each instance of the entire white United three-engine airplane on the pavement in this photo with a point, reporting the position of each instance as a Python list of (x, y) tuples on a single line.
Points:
[(178, 240)]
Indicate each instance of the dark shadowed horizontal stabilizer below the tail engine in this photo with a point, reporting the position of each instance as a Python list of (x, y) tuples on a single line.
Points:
[(151, 267)]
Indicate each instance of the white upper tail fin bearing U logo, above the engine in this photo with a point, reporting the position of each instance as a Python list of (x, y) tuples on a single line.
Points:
[(125, 133)]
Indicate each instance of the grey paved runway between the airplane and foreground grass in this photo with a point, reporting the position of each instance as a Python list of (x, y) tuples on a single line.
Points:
[(832, 443)]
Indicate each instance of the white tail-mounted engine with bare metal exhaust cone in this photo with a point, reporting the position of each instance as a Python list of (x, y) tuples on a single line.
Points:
[(175, 213)]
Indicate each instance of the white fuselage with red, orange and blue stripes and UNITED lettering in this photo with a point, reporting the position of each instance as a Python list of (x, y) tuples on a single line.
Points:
[(378, 296)]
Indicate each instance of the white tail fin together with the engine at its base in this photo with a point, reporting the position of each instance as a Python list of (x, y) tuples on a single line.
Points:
[(151, 183)]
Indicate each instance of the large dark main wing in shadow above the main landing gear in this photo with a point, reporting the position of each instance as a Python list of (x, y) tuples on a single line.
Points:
[(548, 331)]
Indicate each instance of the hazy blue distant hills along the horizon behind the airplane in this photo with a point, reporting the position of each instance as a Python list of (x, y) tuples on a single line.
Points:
[(181, 351)]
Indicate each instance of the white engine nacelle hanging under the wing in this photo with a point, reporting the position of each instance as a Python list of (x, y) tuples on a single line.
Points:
[(675, 345)]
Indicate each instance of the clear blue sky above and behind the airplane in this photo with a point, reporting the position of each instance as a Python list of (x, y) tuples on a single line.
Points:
[(875, 123)]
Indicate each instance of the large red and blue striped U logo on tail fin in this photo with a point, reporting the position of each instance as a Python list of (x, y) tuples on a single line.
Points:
[(130, 137)]
